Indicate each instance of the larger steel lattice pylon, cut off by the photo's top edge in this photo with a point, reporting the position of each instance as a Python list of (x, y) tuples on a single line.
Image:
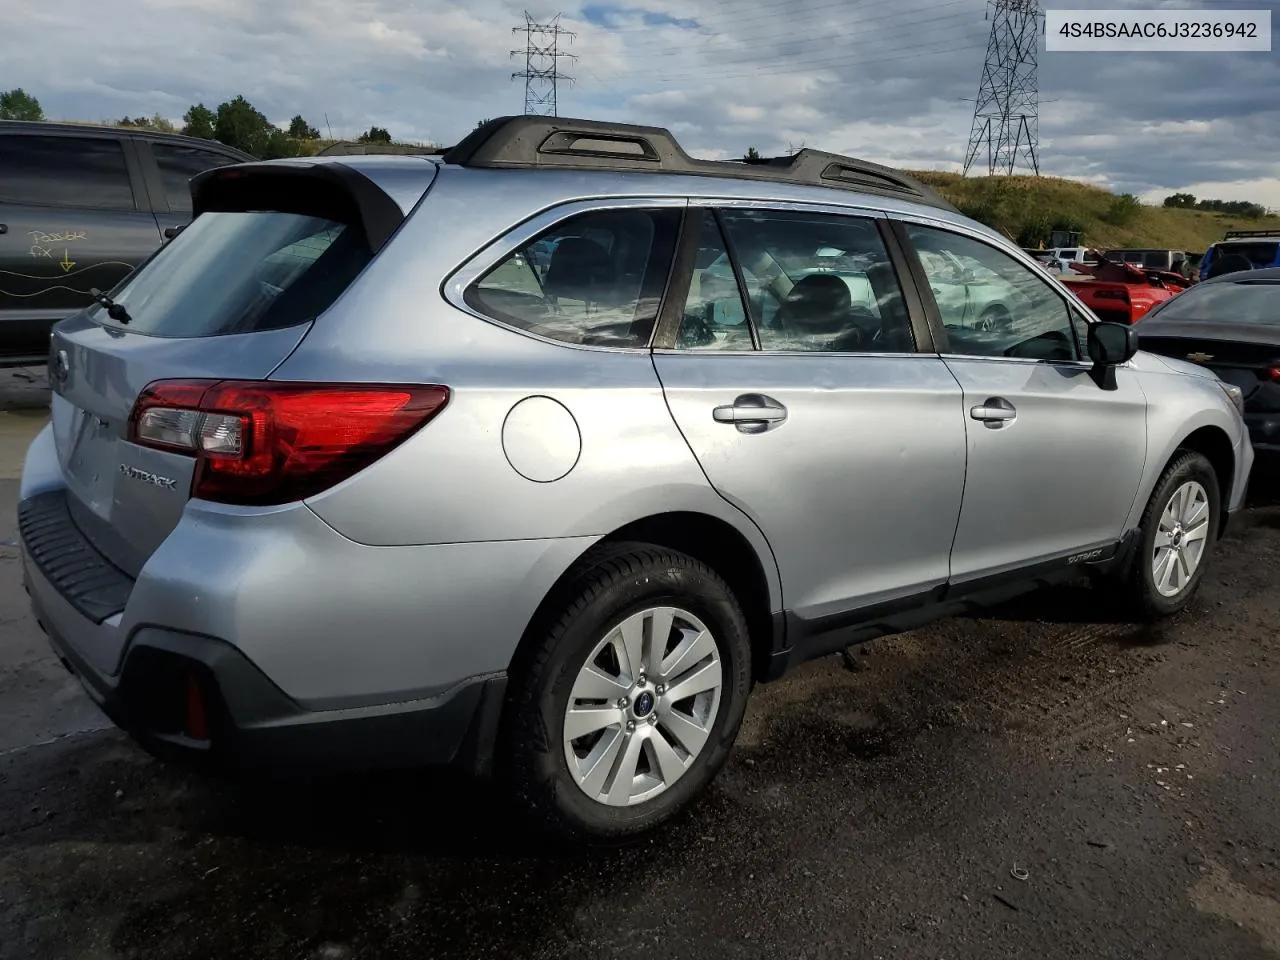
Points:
[(1007, 116)]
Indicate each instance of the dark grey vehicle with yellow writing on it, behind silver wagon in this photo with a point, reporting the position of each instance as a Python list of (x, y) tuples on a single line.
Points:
[(80, 208)]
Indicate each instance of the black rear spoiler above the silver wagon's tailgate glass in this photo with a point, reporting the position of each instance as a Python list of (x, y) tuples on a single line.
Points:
[(333, 191)]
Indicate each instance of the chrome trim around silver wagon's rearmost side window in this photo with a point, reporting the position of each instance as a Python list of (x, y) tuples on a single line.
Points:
[(479, 263)]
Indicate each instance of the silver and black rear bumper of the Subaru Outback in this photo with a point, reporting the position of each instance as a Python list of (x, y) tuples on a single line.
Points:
[(305, 647)]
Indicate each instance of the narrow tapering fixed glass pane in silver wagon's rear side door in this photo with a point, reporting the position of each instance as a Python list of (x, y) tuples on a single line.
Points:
[(715, 317)]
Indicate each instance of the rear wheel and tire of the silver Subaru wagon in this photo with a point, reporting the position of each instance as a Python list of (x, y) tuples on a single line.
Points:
[(556, 780)]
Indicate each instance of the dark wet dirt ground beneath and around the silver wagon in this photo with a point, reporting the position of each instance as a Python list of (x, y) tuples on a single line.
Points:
[(1044, 783)]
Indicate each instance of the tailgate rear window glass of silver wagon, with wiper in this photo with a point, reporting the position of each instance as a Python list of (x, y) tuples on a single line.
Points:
[(243, 272)]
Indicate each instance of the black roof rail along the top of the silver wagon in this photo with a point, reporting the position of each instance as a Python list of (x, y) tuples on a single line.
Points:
[(554, 143)]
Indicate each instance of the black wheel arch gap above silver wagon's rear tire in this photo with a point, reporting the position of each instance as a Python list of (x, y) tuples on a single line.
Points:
[(710, 540)]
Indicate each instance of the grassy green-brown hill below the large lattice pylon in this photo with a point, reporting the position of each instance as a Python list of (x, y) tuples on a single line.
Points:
[(1028, 208)]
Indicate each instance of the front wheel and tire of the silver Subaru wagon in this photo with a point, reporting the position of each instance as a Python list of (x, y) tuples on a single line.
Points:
[(1156, 584)]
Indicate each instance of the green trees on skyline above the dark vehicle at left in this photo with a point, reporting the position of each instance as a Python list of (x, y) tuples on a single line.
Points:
[(235, 122)]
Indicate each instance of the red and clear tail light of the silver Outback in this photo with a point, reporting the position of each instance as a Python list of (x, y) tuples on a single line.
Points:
[(266, 442)]
